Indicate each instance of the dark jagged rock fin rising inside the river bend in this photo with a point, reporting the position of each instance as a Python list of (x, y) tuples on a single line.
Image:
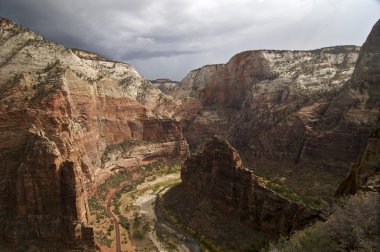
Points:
[(219, 174)]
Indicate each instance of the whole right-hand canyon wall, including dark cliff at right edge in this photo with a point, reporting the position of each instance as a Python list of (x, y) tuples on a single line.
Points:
[(304, 107)]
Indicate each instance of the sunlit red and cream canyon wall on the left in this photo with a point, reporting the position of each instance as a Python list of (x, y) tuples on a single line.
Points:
[(64, 113)]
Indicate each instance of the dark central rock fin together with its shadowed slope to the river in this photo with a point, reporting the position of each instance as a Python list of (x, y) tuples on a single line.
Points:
[(218, 176)]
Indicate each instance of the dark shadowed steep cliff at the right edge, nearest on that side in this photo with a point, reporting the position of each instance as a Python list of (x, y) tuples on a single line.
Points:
[(351, 117)]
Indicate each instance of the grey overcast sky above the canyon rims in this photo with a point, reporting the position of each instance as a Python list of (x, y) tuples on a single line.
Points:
[(169, 38)]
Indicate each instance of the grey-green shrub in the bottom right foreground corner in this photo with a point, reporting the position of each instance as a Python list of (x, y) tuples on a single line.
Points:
[(351, 227)]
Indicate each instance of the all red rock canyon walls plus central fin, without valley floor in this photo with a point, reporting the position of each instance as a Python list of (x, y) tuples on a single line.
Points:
[(71, 119)]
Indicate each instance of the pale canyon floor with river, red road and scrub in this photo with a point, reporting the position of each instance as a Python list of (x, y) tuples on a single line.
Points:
[(133, 199)]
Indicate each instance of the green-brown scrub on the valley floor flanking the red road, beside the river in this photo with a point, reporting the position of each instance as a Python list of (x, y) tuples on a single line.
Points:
[(134, 227)]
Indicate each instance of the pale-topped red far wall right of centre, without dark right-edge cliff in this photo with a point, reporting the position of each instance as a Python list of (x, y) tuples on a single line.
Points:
[(260, 100)]
